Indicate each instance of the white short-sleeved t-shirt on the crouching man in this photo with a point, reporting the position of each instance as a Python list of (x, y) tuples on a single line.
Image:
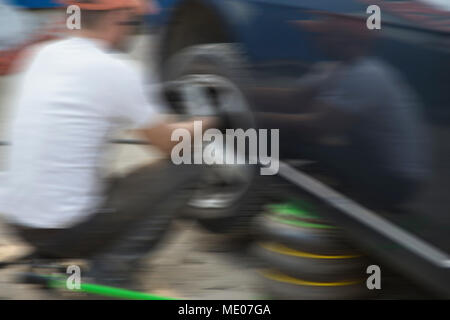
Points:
[(73, 97)]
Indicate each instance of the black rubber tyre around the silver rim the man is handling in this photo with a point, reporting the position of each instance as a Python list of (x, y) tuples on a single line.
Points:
[(224, 61)]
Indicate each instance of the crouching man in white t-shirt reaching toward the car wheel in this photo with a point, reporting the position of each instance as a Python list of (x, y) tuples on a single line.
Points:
[(74, 97)]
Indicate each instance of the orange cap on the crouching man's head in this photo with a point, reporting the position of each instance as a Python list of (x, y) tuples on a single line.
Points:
[(141, 6)]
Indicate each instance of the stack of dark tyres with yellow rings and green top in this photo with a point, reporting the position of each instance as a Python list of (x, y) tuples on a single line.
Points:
[(306, 257)]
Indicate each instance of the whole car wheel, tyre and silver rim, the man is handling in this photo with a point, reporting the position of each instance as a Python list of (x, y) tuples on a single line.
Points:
[(215, 75)]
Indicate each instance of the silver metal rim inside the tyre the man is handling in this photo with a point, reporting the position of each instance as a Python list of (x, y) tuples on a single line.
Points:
[(221, 186)]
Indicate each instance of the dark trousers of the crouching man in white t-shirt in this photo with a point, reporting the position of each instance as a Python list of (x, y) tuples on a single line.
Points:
[(137, 213)]
